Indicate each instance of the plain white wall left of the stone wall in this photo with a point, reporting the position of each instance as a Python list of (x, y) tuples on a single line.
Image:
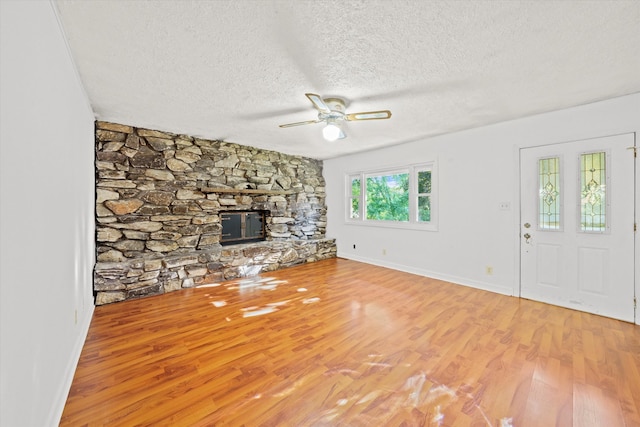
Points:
[(46, 215)]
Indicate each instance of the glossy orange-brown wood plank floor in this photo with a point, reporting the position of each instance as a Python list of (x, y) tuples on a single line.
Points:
[(339, 342)]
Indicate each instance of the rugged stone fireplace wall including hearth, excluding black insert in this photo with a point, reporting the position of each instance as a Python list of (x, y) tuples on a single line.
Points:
[(158, 198)]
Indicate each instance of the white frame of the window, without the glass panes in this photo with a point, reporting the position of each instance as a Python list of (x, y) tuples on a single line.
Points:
[(413, 222)]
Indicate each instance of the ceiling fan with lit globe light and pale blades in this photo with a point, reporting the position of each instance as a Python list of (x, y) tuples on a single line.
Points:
[(332, 112)]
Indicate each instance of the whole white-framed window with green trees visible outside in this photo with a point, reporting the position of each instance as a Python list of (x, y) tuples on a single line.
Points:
[(402, 197)]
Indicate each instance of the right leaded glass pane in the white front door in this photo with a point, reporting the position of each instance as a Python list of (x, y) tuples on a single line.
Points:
[(593, 206)]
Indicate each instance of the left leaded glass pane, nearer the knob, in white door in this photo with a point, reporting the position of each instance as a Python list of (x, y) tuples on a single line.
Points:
[(549, 194)]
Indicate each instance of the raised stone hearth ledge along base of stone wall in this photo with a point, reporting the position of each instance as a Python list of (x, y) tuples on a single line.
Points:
[(134, 278)]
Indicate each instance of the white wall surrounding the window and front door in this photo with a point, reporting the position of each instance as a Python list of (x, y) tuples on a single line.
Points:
[(478, 169)]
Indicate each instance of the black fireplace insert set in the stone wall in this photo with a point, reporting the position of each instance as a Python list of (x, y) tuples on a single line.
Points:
[(242, 227)]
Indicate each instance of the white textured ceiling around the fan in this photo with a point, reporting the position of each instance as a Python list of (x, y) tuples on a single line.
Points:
[(236, 69)]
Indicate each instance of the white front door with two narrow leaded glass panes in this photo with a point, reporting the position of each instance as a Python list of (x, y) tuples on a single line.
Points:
[(577, 225)]
